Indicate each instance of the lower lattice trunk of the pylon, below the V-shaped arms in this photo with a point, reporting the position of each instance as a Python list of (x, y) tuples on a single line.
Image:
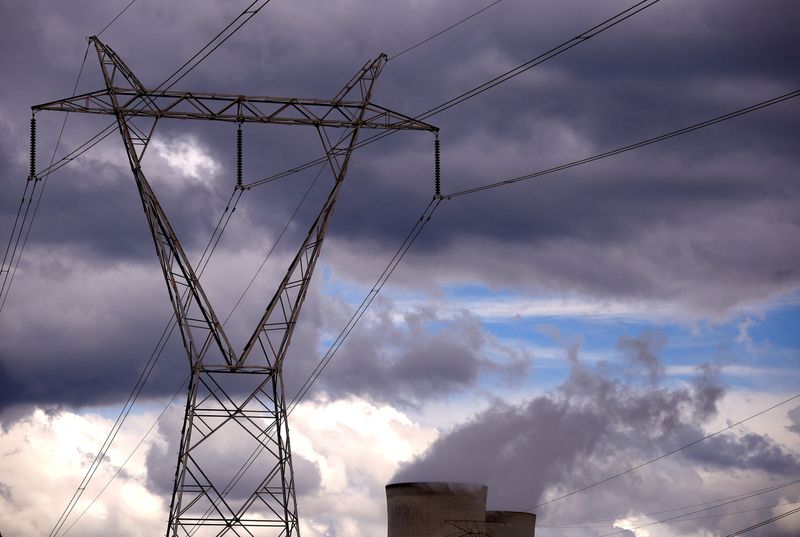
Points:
[(231, 416)]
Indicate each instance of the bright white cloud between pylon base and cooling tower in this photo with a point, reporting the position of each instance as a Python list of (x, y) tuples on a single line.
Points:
[(358, 446)]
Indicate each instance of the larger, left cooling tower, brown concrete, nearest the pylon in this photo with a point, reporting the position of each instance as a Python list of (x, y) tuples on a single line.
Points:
[(435, 509)]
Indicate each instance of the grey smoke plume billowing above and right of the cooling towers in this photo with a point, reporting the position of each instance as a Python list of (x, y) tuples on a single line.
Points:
[(595, 425)]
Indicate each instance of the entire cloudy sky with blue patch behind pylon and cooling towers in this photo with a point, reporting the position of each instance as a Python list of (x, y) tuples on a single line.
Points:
[(536, 338)]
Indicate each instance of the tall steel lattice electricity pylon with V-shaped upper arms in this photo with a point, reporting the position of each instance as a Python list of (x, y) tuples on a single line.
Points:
[(234, 399)]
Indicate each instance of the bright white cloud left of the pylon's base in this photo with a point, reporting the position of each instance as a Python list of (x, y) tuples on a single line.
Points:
[(45, 457)]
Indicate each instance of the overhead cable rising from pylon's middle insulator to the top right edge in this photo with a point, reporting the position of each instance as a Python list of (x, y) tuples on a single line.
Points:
[(489, 84)]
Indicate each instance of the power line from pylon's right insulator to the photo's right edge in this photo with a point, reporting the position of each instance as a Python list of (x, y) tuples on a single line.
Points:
[(631, 147)]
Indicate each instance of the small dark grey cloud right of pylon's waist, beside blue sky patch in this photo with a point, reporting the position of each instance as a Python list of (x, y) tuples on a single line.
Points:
[(420, 358)]
